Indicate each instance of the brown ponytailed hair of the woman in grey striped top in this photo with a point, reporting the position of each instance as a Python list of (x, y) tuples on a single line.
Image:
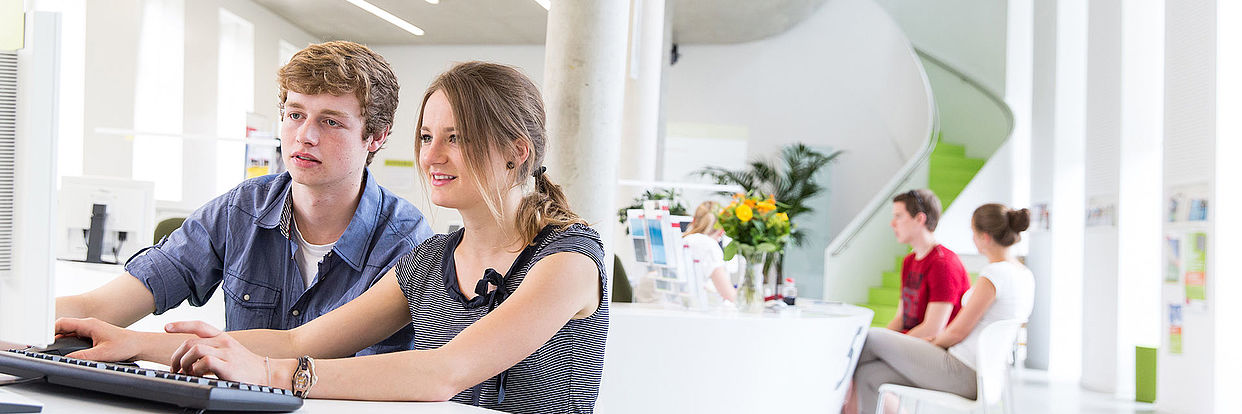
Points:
[(499, 110)]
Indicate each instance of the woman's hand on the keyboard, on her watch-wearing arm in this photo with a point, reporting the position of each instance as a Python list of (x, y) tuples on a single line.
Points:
[(215, 352)]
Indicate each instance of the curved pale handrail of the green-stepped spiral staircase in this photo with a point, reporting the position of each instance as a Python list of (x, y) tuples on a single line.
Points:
[(876, 205)]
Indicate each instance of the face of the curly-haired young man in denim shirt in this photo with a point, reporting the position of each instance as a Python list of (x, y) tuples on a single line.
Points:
[(322, 140)]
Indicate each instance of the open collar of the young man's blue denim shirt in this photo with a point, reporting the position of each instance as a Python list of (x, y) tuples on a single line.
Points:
[(355, 243)]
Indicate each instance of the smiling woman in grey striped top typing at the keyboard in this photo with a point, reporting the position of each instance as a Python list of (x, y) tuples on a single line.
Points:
[(540, 329)]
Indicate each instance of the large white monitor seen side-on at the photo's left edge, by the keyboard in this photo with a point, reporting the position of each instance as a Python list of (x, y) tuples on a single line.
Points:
[(28, 182)]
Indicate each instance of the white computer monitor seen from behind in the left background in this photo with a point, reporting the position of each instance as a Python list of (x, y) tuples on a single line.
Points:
[(105, 219)]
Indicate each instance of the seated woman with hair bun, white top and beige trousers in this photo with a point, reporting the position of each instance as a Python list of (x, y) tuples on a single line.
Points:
[(1005, 290)]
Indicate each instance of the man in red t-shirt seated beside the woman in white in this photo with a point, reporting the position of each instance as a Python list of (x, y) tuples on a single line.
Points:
[(933, 278)]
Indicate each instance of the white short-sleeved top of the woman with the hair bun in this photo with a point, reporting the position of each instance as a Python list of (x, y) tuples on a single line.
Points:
[(1015, 298)]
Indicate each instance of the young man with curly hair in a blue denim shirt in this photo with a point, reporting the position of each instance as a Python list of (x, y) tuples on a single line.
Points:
[(292, 247)]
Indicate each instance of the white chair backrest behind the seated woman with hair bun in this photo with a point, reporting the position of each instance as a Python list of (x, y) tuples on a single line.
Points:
[(992, 365)]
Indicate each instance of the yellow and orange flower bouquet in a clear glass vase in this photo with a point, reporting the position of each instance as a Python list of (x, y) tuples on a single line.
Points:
[(758, 228)]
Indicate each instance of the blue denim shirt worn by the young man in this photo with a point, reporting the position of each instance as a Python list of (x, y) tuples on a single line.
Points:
[(242, 241)]
